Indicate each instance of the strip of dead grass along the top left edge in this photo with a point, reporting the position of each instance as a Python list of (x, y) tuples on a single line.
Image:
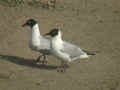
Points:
[(33, 3)]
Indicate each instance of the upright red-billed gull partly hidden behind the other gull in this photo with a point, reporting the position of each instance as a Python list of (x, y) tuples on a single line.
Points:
[(37, 42)]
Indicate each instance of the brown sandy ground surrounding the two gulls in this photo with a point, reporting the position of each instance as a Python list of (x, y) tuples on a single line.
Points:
[(93, 26)]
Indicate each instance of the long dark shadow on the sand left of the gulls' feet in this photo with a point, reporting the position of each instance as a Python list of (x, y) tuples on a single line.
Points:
[(26, 62)]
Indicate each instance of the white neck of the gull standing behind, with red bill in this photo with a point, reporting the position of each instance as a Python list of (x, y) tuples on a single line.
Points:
[(35, 36)]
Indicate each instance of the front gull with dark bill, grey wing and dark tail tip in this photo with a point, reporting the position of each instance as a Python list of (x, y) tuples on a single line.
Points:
[(64, 51)]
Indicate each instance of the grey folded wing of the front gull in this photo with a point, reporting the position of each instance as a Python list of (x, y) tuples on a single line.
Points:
[(73, 50)]
